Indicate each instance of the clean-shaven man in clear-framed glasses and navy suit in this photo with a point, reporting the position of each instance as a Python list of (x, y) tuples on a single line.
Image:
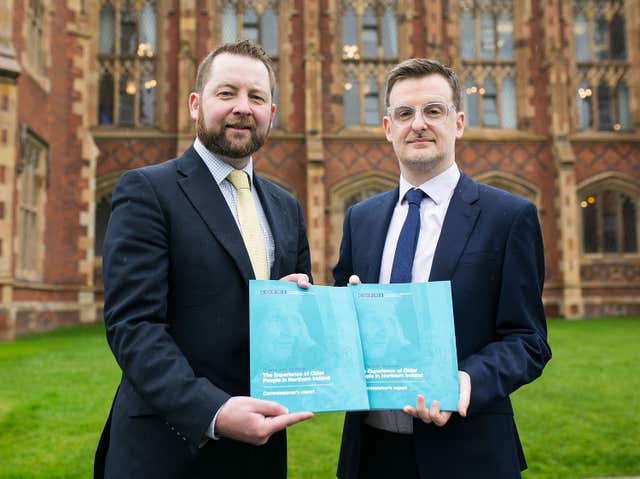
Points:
[(438, 224)]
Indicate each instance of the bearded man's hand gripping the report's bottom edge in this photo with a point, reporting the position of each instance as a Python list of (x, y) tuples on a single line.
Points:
[(253, 420)]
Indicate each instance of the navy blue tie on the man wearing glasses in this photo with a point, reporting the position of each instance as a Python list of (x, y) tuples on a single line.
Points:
[(406, 247)]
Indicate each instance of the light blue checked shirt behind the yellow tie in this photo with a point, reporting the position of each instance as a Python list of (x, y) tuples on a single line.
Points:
[(220, 170)]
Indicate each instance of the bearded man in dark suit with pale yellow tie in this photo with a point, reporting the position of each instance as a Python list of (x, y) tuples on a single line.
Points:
[(184, 239)]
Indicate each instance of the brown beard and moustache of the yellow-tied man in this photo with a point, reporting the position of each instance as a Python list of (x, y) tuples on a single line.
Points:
[(218, 143)]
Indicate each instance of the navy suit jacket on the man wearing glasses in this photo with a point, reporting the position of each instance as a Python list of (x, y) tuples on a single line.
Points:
[(490, 248)]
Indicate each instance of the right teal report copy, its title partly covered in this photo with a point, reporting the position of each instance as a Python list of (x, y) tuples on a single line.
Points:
[(409, 343)]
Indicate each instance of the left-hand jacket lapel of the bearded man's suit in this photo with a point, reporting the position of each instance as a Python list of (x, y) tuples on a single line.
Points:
[(198, 185)]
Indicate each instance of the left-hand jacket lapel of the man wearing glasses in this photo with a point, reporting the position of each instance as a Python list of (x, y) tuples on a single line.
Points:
[(375, 232)]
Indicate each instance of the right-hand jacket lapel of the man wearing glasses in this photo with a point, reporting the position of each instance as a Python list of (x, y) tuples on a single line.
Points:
[(457, 227)]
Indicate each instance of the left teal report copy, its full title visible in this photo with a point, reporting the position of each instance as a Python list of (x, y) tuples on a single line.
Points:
[(305, 347)]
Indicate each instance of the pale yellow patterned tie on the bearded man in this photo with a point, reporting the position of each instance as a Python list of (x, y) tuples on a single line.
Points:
[(249, 224)]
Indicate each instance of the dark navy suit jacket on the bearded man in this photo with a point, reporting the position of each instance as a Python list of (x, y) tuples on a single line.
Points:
[(176, 278)]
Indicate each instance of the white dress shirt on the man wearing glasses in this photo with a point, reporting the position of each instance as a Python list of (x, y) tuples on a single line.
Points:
[(433, 209)]
